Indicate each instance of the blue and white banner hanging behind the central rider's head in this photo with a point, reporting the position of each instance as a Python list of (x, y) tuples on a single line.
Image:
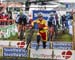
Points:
[(45, 13)]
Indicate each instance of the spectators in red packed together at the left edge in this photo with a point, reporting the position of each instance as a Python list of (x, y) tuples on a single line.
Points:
[(6, 18)]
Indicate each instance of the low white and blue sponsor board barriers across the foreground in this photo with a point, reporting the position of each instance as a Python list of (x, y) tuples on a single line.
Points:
[(14, 49)]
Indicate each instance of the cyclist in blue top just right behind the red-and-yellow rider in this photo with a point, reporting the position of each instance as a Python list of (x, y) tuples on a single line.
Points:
[(51, 22)]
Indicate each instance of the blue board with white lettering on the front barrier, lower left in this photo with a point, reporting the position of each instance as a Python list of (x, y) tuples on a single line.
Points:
[(15, 52)]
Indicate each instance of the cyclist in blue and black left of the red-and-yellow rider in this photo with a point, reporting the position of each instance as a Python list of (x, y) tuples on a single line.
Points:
[(21, 18)]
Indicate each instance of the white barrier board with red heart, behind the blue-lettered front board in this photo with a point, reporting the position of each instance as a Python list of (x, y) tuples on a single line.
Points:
[(14, 44)]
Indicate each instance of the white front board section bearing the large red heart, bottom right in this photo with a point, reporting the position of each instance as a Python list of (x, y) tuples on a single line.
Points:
[(64, 54)]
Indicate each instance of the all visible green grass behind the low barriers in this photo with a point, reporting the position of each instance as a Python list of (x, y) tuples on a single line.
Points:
[(60, 37)]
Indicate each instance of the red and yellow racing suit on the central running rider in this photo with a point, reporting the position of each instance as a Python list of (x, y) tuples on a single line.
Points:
[(44, 31)]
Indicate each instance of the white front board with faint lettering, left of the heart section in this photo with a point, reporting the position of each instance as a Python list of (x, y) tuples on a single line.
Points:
[(41, 53)]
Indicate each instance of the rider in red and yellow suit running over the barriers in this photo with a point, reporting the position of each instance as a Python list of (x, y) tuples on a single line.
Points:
[(42, 33)]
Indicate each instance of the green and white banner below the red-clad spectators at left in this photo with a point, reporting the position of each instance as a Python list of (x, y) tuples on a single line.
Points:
[(8, 31)]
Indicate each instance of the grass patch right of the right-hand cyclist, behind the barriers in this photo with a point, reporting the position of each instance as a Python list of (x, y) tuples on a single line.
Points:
[(64, 36)]
